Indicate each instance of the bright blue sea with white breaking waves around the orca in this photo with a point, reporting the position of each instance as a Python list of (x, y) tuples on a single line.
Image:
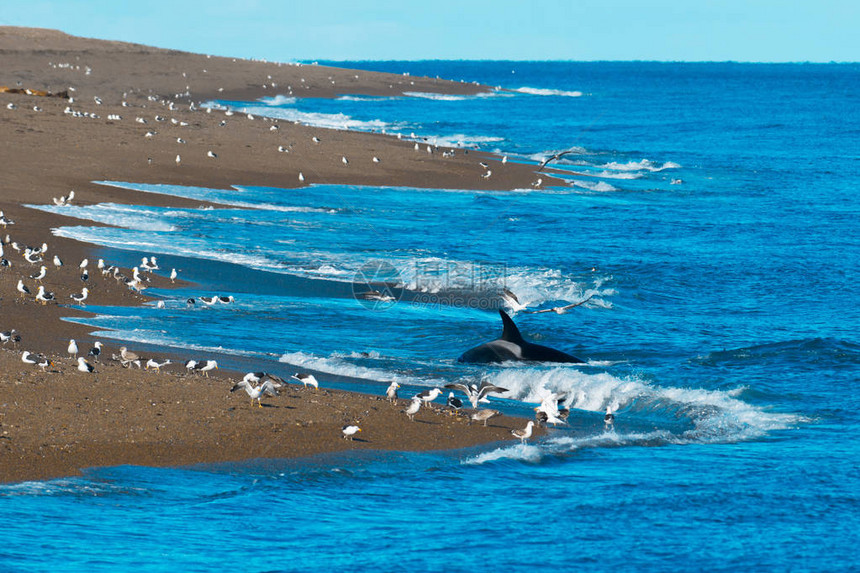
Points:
[(710, 214)]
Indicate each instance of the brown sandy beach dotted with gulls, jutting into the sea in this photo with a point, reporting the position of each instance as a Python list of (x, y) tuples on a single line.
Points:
[(56, 422)]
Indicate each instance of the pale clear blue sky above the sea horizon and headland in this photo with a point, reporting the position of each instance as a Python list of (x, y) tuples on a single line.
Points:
[(692, 30)]
